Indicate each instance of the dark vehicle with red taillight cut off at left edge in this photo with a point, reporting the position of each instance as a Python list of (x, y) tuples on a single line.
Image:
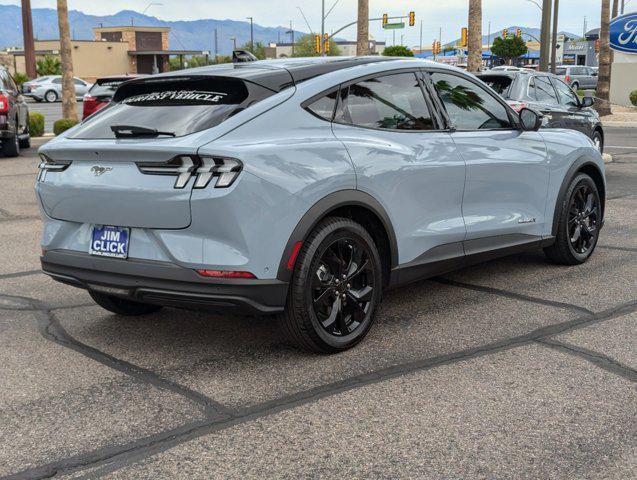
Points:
[(14, 117)]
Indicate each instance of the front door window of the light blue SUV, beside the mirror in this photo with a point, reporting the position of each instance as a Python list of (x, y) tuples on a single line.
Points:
[(469, 106)]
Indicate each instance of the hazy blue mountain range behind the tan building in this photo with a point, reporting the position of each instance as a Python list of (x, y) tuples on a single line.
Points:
[(184, 35)]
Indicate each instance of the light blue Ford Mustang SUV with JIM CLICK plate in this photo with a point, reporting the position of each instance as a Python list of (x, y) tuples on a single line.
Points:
[(304, 188)]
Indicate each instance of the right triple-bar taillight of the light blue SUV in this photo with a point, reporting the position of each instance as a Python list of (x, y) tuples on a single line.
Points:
[(203, 169)]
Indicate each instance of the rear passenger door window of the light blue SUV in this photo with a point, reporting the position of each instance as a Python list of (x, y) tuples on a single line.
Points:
[(391, 102)]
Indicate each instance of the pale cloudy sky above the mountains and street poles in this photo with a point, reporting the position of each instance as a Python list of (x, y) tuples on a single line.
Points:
[(448, 15)]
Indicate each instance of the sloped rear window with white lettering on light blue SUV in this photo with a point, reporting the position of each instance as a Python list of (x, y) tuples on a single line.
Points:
[(177, 106)]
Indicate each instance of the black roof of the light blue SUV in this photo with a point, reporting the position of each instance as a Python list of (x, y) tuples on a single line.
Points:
[(279, 74)]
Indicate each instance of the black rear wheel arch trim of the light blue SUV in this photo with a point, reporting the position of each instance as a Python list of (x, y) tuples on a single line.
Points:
[(357, 206)]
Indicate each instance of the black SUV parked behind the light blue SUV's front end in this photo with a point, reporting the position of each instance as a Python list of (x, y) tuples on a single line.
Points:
[(549, 95)]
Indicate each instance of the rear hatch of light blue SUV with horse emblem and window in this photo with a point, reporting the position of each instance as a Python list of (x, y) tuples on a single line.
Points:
[(132, 164)]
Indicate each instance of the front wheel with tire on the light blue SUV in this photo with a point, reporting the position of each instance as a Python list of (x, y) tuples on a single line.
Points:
[(579, 222)]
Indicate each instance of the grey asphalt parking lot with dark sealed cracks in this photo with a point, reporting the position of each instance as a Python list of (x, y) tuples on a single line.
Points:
[(510, 369)]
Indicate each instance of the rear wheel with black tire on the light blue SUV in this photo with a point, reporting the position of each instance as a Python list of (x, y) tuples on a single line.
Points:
[(336, 288)]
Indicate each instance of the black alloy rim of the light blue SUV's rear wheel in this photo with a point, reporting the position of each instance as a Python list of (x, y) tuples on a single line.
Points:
[(343, 286)]
